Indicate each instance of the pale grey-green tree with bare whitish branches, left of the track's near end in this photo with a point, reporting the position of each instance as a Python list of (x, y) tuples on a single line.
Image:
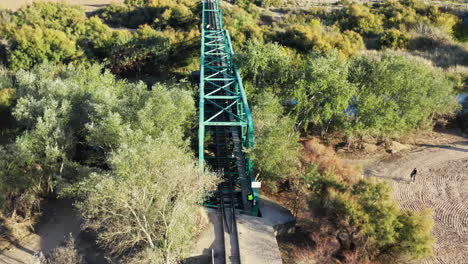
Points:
[(145, 200)]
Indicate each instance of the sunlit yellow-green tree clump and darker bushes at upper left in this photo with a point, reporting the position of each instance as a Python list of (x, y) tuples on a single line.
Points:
[(60, 33)]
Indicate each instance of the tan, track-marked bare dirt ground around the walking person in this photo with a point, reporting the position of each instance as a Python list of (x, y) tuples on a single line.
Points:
[(441, 185)]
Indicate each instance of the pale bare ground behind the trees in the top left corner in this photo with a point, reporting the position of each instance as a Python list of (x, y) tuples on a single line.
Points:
[(88, 5)]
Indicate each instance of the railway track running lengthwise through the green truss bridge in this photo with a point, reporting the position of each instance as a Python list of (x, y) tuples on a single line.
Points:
[(227, 156)]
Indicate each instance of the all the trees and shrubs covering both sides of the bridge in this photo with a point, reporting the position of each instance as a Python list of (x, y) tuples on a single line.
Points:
[(75, 122)]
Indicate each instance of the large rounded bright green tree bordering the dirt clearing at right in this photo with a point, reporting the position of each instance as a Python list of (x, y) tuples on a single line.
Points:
[(397, 95)]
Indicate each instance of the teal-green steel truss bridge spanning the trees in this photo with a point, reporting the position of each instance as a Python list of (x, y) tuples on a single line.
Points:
[(225, 121)]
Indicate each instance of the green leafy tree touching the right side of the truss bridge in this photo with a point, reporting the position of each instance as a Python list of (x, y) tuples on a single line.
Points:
[(276, 150)]
